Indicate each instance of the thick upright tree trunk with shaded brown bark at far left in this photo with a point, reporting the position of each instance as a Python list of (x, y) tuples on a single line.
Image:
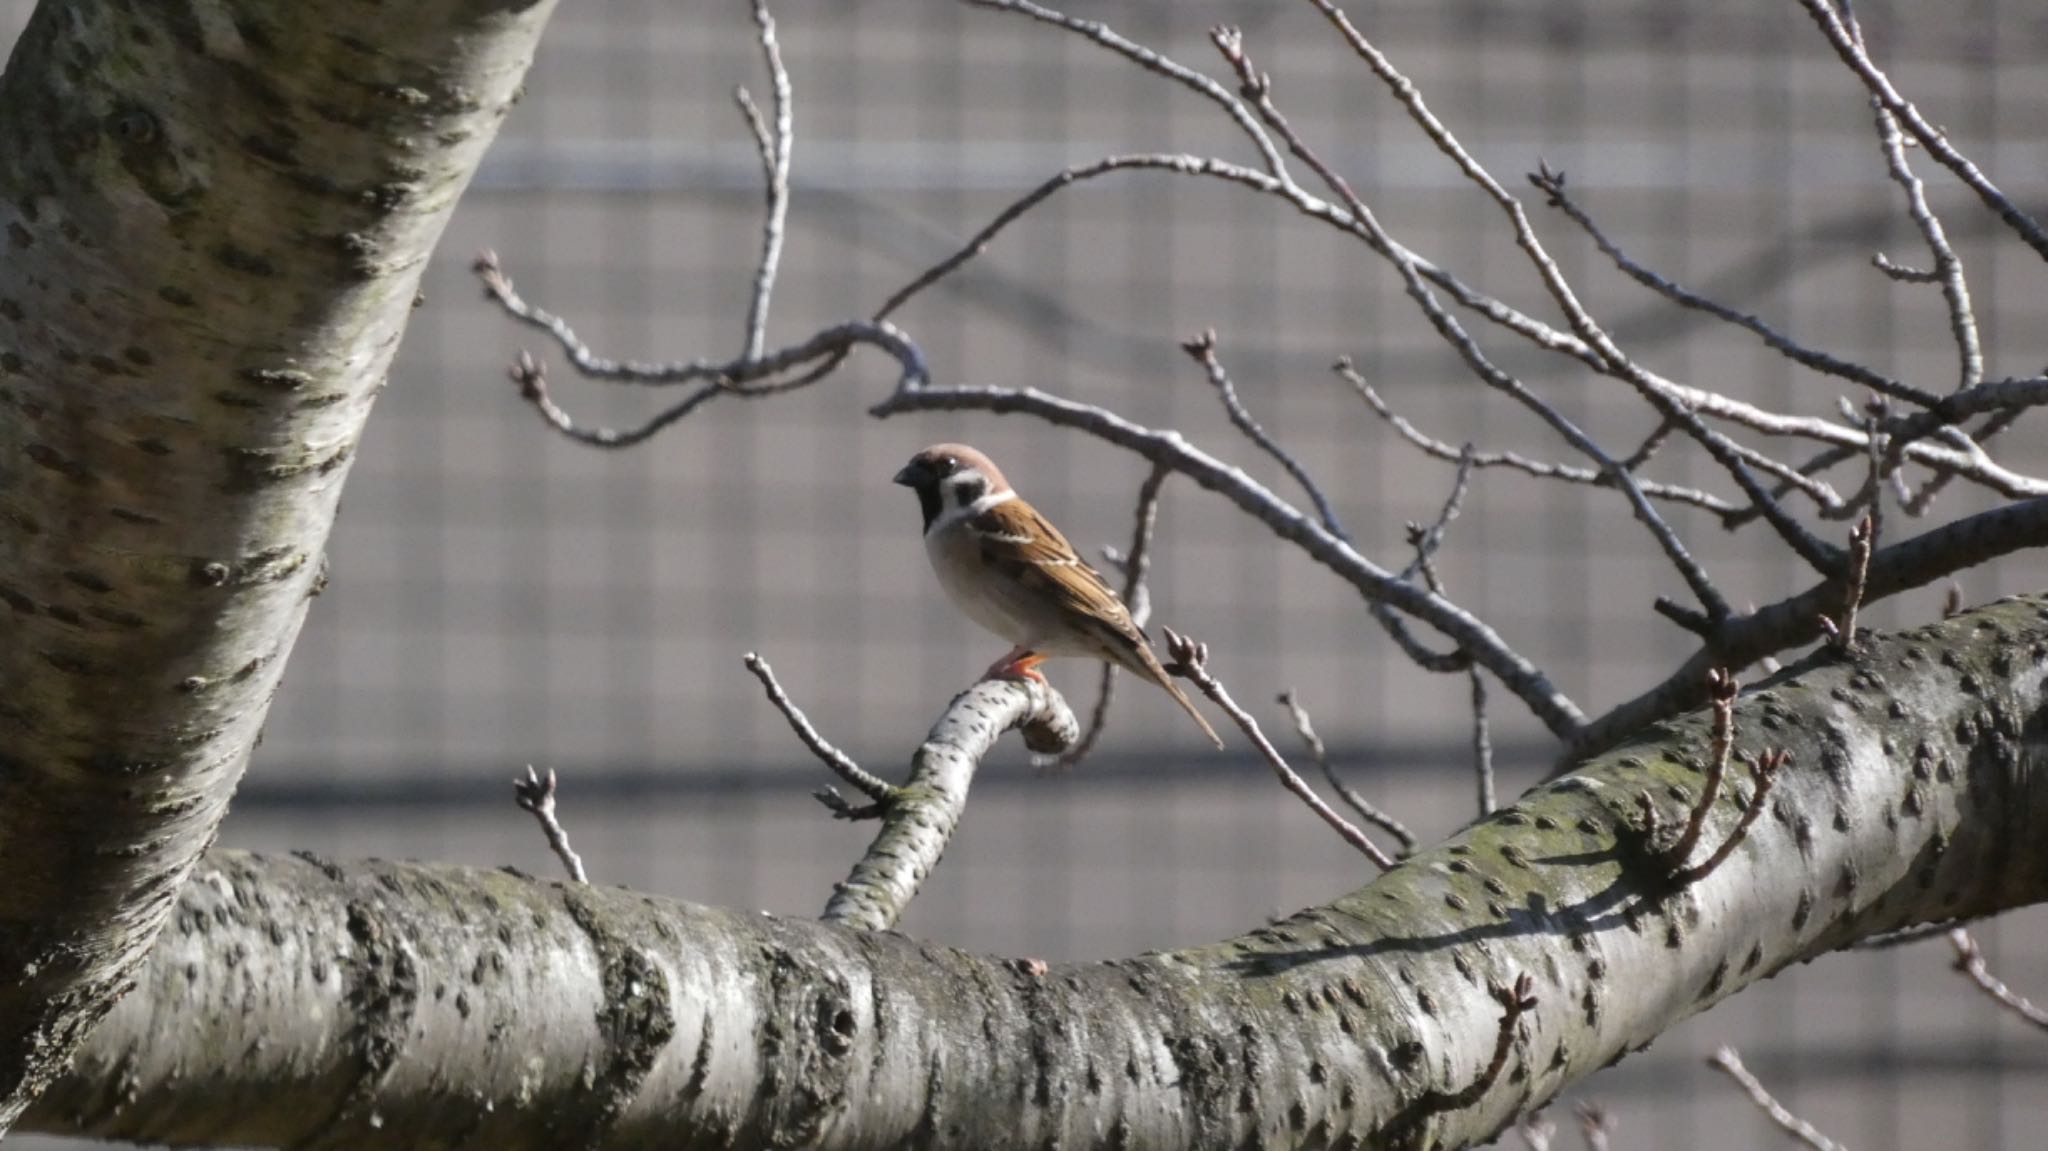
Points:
[(216, 216)]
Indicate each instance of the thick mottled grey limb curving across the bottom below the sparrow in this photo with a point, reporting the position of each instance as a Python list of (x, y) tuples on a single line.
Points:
[(302, 1003)]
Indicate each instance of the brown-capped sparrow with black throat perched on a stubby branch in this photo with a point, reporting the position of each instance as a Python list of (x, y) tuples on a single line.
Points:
[(1011, 570)]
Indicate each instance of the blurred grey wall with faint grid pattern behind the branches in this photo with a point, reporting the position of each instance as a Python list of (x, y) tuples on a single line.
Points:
[(503, 597)]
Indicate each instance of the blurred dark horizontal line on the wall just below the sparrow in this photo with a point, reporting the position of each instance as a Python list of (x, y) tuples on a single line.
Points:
[(286, 787)]
